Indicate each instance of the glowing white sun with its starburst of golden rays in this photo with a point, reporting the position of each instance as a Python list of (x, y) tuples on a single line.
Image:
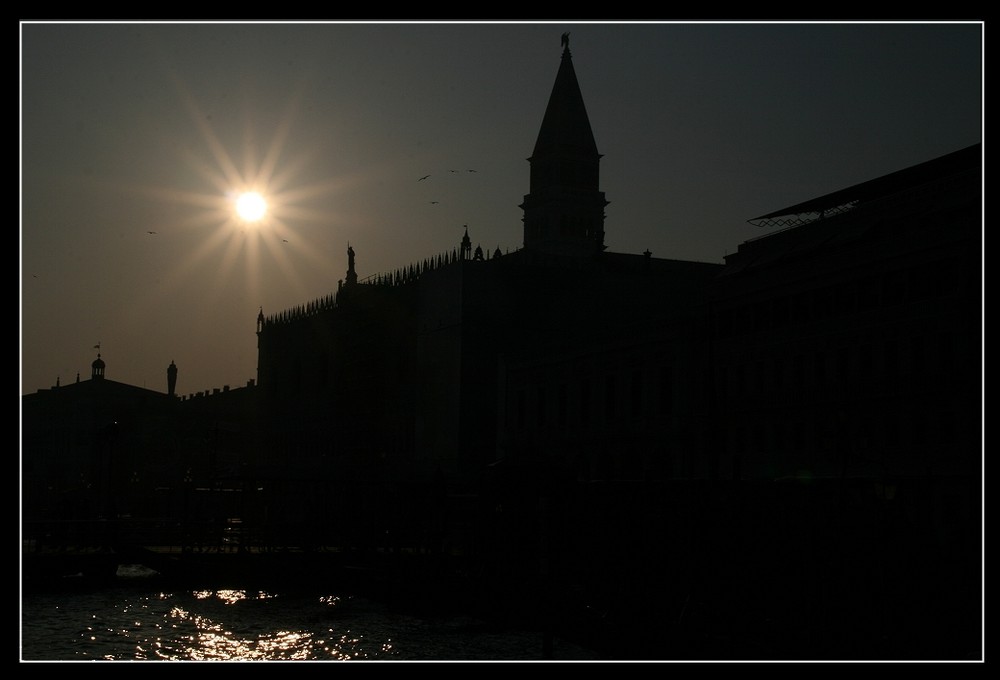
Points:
[(247, 216)]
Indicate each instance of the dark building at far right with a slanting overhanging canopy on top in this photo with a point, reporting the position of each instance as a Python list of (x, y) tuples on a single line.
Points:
[(850, 343)]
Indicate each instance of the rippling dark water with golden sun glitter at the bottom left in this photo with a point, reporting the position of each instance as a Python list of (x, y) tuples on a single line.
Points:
[(240, 625)]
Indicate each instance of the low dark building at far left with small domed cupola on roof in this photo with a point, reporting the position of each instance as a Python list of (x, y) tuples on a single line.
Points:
[(101, 449)]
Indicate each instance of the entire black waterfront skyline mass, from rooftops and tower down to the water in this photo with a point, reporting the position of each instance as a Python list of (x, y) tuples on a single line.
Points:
[(775, 458)]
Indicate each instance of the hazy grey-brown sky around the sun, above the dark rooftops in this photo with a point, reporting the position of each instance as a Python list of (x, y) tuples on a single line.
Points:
[(128, 129)]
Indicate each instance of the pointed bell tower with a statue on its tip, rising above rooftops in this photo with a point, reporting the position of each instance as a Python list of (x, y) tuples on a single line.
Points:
[(564, 211)]
